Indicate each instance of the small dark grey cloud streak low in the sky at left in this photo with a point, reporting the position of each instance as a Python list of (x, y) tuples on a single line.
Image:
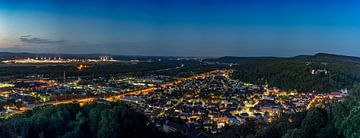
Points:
[(35, 40)]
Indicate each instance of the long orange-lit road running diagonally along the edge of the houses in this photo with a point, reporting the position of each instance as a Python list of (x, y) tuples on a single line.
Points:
[(116, 97)]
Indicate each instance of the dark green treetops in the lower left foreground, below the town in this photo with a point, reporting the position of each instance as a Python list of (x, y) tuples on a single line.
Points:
[(72, 121)]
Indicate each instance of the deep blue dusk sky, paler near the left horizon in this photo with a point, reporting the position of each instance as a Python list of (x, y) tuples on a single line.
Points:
[(181, 27)]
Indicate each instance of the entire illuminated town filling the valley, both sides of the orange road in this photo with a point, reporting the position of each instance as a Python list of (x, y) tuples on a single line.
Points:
[(205, 102)]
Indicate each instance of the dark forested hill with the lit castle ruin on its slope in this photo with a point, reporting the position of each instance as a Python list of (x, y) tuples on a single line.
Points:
[(320, 72)]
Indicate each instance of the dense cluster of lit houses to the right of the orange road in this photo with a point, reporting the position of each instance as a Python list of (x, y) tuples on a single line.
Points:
[(212, 101)]
